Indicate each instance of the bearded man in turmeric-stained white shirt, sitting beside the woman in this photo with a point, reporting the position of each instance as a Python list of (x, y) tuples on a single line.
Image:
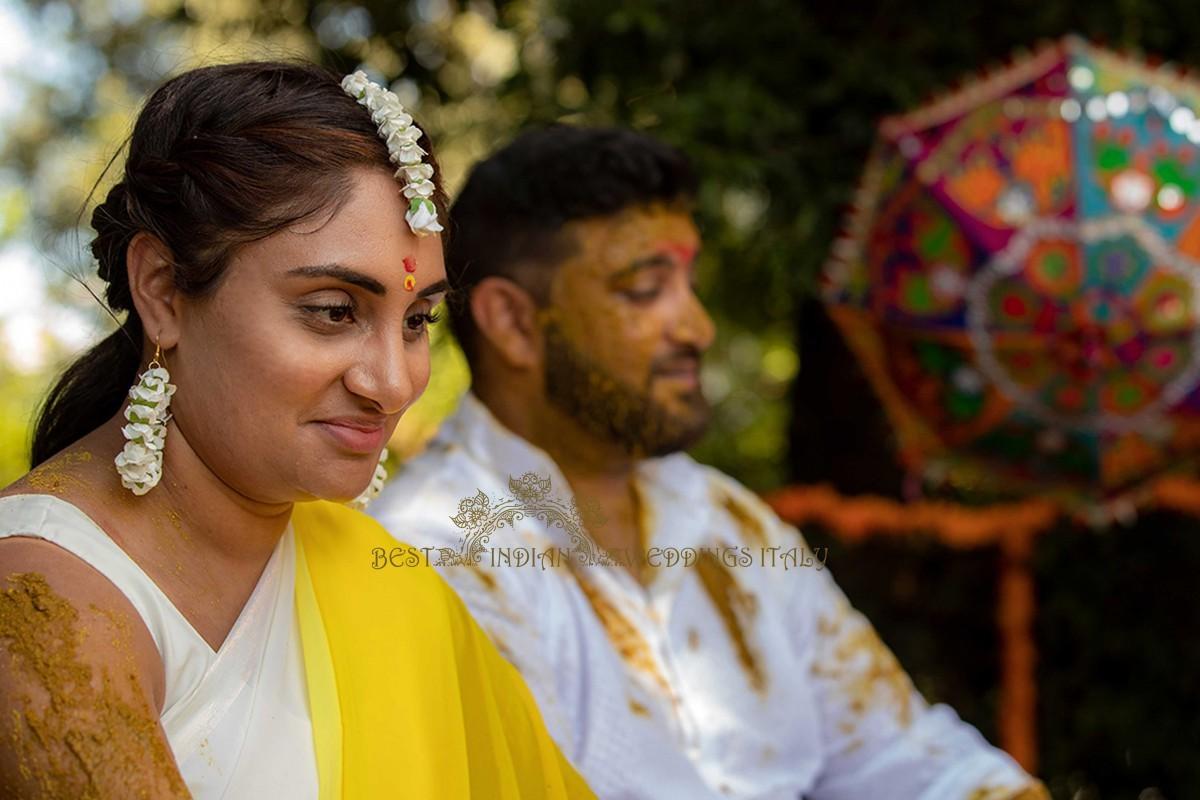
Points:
[(675, 651)]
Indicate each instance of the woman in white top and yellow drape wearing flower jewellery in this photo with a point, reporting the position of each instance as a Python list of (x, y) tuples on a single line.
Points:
[(172, 623)]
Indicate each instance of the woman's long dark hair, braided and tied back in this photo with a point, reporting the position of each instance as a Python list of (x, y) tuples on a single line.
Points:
[(220, 157)]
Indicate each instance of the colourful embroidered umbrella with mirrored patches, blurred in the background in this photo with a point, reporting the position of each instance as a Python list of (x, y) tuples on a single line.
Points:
[(1021, 278)]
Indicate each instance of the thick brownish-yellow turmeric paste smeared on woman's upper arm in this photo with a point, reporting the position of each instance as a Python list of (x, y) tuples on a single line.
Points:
[(87, 735)]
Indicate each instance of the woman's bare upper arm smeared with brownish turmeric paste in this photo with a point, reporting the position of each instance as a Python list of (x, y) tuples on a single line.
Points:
[(81, 683)]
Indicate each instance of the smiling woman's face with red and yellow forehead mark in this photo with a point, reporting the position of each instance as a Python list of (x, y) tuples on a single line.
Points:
[(293, 375)]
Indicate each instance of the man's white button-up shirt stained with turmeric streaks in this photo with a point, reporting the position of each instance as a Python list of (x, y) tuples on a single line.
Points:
[(741, 681)]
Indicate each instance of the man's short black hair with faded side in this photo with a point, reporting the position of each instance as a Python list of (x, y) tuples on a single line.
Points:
[(509, 216)]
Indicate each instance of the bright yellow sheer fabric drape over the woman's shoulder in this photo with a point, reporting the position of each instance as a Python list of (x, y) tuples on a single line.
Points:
[(410, 699)]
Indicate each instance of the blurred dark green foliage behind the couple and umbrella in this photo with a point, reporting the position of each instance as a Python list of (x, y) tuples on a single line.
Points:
[(777, 103)]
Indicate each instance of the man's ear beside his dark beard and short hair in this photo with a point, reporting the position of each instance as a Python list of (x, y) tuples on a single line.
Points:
[(507, 317)]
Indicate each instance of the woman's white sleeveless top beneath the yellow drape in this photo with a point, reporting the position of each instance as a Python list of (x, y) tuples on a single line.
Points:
[(237, 719)]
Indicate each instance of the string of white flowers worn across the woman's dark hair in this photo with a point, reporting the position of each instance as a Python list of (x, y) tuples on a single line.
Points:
[(398, 130)]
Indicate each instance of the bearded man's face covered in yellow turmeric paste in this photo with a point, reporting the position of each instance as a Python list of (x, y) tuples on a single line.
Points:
[(626, 332)]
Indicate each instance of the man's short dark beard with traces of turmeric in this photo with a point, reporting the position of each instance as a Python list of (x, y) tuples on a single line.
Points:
[(614, 411)]
